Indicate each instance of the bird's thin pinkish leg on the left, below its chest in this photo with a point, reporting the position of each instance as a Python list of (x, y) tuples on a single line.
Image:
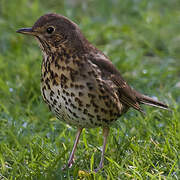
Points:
[(70, 161)]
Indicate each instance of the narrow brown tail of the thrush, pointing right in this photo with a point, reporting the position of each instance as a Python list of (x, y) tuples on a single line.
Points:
[(150, 101)]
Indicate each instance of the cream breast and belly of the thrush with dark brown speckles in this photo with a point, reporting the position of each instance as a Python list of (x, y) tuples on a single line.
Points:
[(76, 93)]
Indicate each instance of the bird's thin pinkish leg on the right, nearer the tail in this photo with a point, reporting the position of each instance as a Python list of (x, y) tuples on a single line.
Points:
[(105, 135)]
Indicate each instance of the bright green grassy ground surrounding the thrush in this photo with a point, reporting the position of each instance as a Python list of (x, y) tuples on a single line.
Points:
[(142, 39)]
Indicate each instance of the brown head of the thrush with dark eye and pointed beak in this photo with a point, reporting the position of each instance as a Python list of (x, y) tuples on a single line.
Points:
[(54, 31)]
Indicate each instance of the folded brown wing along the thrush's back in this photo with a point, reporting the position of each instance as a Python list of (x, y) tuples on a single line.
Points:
[(109, 71)]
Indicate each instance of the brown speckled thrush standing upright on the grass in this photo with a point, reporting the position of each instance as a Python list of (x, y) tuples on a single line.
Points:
[(79, 83)]
